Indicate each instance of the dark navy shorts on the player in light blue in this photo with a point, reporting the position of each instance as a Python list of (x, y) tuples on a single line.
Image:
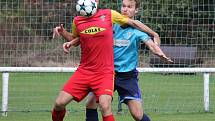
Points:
[(126, 84)]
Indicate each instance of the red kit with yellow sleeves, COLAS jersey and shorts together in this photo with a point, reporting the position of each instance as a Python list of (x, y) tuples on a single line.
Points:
[(95, 72)]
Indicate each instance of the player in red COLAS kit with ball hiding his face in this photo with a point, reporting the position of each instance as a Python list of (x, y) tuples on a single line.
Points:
[(96, 70)]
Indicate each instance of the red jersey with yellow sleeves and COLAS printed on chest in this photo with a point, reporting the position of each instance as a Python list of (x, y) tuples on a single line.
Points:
[(96, 39)]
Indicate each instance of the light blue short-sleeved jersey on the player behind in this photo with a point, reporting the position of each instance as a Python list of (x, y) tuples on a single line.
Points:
[(126, 44)]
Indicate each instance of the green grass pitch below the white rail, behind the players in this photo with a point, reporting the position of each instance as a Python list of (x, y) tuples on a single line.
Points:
[(167, 97)]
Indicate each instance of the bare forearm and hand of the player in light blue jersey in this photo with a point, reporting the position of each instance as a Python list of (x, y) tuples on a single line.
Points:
[(157, 51)]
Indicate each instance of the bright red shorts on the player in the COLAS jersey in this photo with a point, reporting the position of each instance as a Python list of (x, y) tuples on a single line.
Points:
[(80, 84)]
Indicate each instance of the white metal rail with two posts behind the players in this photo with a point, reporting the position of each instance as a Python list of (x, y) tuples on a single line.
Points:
[(7, 70)]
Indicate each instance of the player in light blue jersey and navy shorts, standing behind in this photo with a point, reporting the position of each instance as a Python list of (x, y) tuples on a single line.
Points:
[(126, 44)]
